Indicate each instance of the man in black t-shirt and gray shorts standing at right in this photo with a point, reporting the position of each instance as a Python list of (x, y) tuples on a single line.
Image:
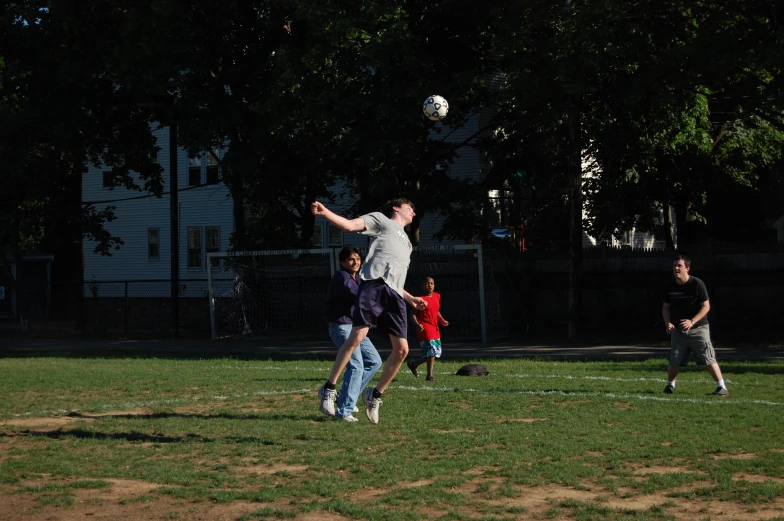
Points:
[(685, 313)]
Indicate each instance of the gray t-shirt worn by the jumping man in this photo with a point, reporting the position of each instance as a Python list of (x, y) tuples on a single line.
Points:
[(390, 251)]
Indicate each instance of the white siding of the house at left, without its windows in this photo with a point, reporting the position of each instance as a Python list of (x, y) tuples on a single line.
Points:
[(202, 207)]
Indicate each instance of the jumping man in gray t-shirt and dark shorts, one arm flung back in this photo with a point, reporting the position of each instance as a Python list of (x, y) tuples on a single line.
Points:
[(381, 298)]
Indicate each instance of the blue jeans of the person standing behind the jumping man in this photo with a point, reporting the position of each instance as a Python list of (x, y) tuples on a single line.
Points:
[(363, 364)]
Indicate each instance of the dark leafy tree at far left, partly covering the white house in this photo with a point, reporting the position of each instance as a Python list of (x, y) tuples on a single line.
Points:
[(58, 109)]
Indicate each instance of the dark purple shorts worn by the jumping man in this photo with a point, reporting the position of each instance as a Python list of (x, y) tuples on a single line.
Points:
[(381, 307)]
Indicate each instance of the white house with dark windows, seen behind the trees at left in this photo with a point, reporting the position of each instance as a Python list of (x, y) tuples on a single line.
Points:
[(143, 223)]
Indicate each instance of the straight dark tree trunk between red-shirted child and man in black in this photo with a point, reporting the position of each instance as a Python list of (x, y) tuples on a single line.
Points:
[(574, 172)]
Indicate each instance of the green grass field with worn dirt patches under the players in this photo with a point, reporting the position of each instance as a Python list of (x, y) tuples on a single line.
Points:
[(145, 438)]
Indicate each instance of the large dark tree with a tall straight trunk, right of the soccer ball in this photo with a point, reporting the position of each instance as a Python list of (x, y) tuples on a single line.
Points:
[(633, 91)]
